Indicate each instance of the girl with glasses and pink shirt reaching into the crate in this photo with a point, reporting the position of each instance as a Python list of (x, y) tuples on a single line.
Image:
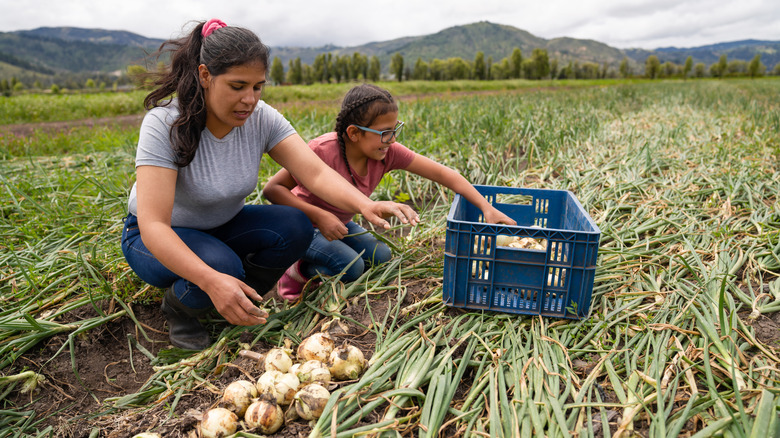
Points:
[(361, 150)]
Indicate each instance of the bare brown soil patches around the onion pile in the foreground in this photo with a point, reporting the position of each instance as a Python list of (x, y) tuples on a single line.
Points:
[(108, 367)]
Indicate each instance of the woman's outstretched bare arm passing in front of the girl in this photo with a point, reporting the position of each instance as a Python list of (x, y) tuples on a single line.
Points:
[(295, 156)]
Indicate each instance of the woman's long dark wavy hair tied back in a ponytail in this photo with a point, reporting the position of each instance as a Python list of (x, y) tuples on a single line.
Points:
[(224, 48)]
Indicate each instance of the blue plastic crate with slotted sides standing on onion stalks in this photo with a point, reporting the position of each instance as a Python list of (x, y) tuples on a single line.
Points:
[(556, 281)]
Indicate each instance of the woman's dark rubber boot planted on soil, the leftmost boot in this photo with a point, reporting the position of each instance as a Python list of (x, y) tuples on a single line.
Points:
[(184, 329)]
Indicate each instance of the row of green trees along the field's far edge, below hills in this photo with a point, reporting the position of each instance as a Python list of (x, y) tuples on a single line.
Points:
[(329, 67)]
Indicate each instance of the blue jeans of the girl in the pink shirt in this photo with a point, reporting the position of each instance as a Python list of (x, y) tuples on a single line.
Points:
[(332, 257)]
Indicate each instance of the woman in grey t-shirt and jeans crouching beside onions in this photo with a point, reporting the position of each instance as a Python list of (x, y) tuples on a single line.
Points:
[(188, 228)]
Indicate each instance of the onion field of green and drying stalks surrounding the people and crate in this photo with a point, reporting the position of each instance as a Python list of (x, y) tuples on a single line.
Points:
[(682, 339)]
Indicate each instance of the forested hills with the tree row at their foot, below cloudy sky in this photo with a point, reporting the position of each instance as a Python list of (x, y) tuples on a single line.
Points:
[(73, 58)]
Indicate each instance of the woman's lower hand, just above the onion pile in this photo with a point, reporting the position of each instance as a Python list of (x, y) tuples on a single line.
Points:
[(231, 298)]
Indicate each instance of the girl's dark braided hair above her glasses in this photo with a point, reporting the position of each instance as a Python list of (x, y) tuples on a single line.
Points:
[(361, 106)]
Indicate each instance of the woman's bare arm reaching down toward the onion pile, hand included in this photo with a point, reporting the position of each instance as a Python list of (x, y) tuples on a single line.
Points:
[(155, 188)]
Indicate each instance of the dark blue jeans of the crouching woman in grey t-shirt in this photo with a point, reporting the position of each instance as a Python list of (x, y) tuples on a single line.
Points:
[(272, 236)]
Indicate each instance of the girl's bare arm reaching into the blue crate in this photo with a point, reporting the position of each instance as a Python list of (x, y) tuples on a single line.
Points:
[(452, 179)]
